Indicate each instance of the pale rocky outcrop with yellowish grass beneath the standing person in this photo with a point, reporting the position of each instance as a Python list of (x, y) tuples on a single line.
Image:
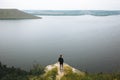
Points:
[(66, 70)]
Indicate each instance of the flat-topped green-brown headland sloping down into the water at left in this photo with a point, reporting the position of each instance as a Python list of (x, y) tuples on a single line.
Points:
[(15, 14)]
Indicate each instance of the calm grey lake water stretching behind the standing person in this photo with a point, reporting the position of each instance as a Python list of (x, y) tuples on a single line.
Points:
[(87, 42)]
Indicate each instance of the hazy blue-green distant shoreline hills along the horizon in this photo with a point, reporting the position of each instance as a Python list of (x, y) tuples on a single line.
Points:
[(74, 12)]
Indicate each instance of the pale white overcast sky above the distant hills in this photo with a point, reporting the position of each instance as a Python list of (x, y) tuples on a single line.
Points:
[(62, 4)]
